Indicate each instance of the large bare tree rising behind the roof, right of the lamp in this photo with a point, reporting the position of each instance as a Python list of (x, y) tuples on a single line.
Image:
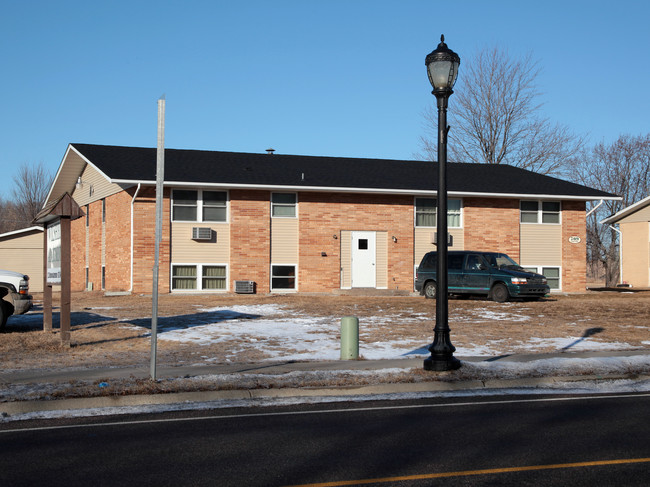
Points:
[(496, 118)]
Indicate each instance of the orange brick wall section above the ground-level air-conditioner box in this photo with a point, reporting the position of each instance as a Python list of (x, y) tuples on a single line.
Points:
[(250, 227)]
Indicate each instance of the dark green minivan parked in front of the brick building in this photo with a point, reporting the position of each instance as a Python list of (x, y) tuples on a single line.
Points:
[(490, 274)]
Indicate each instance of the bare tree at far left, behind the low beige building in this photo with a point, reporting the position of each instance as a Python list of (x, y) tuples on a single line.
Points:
[(31, 185)]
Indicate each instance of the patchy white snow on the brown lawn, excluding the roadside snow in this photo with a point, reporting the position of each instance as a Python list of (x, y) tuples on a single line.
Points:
[(317, 338)]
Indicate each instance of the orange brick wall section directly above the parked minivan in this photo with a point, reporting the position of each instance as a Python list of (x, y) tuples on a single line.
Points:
[(492, 225)]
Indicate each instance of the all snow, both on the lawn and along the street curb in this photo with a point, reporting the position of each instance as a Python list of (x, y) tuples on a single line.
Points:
[(317, 338)]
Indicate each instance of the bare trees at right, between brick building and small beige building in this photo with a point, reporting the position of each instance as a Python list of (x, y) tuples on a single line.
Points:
[(622, 168)]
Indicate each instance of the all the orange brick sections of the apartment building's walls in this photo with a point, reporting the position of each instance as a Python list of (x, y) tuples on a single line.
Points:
[(489, 224)]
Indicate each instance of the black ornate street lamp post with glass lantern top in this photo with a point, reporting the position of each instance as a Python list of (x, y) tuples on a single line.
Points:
[(442, 68)]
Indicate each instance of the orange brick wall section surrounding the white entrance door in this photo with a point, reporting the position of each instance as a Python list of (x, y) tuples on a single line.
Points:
[(323, 215)]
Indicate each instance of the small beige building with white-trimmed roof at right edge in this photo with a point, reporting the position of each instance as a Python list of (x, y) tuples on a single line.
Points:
[(634, 246)]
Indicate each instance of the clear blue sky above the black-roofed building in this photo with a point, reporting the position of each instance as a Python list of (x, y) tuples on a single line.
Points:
[(326, 77)]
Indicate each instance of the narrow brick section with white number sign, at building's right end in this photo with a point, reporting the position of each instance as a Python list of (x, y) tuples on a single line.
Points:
[(574, 255)]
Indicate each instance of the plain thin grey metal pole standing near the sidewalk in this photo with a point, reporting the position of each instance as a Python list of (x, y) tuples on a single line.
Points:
[(160, 178)]
